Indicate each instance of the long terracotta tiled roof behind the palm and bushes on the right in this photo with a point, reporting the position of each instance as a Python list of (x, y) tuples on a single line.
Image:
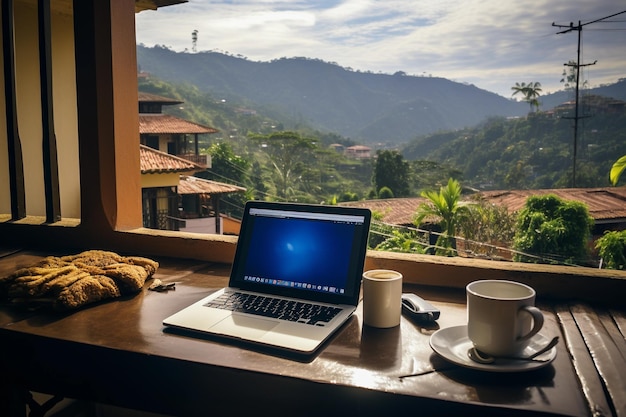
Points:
[(606, 205)]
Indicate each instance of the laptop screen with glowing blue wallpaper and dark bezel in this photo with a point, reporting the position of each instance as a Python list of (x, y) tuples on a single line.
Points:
[(303, 251)]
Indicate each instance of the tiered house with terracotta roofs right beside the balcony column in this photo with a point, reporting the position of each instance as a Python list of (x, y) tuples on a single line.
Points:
[(172, 199)]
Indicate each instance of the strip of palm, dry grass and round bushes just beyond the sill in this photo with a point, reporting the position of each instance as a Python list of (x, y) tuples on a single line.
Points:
[(546, 230)]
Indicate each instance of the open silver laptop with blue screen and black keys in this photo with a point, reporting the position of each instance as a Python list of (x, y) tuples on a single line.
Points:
[(295, 278)]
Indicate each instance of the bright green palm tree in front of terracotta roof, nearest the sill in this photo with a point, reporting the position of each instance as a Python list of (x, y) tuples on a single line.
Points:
[(446, 206)]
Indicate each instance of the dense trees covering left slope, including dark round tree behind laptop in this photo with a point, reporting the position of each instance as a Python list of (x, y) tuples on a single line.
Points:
[(254, 151)]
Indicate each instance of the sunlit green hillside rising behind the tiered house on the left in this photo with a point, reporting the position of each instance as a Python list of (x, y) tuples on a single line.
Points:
[(321, 174)]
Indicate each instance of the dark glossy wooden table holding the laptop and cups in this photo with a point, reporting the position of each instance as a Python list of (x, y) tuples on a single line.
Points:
[(118, 353)]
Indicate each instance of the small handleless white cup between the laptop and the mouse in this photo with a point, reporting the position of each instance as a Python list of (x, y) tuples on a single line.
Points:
[(382, 298)]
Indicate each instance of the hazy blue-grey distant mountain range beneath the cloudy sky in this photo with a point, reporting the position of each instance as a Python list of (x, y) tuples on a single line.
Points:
[(370, 108)]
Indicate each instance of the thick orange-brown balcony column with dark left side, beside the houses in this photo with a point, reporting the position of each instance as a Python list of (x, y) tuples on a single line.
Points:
[(108, 119)]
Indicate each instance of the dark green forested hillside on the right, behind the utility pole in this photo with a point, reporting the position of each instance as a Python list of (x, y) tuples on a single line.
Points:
[(530, 153)]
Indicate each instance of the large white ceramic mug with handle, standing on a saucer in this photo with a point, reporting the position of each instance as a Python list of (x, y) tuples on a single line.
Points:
[(501, 316)]
